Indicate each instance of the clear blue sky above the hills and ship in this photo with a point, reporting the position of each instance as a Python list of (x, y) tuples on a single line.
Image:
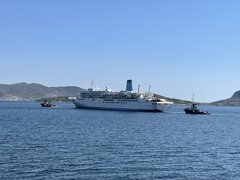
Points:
[(180, 48)]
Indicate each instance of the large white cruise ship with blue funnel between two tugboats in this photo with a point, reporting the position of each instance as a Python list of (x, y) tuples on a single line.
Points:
[(122, 101)]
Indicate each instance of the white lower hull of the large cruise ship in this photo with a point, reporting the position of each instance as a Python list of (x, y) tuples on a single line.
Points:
[(120, 105)]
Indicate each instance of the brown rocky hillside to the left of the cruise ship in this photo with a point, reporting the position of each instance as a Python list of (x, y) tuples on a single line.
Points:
[(33, 91)]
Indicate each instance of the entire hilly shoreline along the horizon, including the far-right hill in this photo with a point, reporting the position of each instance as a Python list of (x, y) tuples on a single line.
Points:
[(38, 92)]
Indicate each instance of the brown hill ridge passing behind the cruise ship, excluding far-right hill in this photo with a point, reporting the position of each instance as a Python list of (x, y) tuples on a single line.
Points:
[(34, 91)]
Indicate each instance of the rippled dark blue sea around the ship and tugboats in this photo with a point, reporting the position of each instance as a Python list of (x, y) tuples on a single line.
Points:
[(67, 143)]
